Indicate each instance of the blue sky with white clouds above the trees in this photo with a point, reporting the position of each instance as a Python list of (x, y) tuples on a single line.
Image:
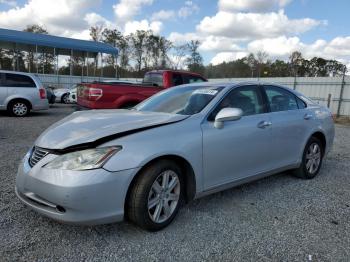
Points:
[(227, 29)]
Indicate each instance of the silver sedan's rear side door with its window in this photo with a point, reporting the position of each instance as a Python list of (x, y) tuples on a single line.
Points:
[(290, 124)]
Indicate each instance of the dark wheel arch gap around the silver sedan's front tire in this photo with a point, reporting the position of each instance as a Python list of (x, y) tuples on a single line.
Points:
[(186, 167)]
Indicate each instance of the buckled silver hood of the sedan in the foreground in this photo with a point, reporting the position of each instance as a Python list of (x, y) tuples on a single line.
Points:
[(91, 128)]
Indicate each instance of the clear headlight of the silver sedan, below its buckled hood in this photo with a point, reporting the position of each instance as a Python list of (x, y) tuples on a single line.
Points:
[(83, 160)]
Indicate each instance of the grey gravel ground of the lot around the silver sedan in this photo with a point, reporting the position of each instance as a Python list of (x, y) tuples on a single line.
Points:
[(279, 218)]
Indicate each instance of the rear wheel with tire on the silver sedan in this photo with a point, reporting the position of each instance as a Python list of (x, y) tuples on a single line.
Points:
[(312, 159)]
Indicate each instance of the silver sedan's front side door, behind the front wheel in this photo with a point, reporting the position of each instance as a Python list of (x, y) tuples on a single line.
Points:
[(241, 148)]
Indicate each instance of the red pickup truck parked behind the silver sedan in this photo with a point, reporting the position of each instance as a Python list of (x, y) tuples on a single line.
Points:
[(123, 94)]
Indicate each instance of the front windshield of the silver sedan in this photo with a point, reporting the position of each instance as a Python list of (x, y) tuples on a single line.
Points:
[(187, 100)]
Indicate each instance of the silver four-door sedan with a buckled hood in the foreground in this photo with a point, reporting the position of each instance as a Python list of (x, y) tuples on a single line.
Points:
[(102, 166)]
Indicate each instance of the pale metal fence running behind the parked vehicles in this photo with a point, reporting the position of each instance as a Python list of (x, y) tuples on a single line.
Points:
[(333, 92)]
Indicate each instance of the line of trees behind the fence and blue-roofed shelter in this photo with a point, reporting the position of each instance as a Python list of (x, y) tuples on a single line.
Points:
[(142, 51)]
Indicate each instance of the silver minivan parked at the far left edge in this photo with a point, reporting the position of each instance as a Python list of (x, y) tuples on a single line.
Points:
[(21, 93)]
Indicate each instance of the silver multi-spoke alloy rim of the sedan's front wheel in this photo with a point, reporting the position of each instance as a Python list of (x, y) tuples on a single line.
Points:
[(164, 196)]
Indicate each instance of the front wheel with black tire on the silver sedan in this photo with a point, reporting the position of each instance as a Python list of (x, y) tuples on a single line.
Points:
[(156, 196)]
